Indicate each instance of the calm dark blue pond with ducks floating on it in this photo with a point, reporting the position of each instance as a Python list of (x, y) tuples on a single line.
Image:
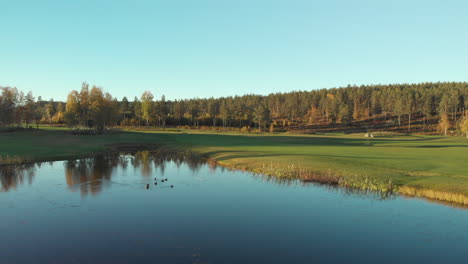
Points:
[(99, 211)]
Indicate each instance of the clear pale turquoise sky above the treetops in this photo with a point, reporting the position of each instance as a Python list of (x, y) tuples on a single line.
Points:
[(204, 48)]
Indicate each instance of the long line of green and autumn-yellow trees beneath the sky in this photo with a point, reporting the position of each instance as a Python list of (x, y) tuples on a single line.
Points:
[(430, 107)]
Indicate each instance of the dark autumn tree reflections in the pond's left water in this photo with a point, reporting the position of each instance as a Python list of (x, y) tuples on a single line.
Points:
[(91, 175)]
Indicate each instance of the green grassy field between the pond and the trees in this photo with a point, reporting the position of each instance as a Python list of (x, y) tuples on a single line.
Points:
[(423, 162)]
